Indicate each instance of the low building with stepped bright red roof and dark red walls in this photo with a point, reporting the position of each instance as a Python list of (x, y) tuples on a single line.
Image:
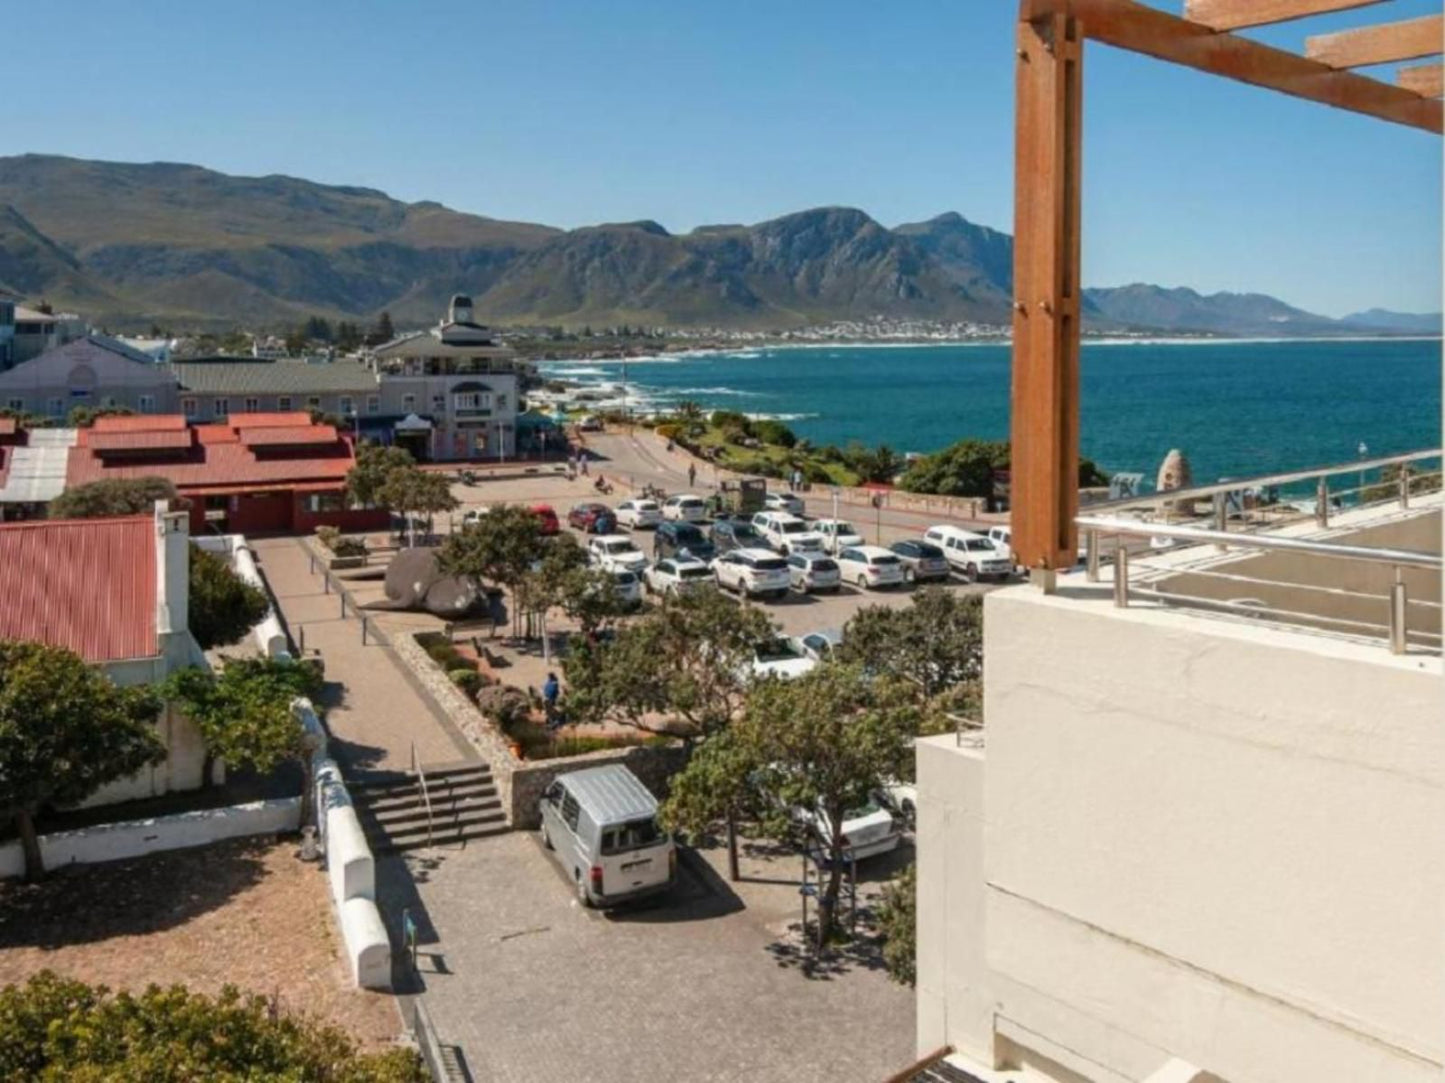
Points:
[(256, 474)]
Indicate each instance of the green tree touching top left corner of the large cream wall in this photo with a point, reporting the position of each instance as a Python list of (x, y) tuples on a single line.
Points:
[(936, 643)]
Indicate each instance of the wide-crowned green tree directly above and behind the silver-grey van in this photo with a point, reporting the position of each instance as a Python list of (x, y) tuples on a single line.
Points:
[(689, 660)]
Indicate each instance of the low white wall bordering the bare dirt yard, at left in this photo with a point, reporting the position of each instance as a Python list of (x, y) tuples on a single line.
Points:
[(138, 838)]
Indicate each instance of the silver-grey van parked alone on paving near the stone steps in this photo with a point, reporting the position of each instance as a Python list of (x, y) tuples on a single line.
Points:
[(602, 826)]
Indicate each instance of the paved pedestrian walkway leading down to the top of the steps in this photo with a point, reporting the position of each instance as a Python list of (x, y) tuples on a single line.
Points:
[(375, 711)]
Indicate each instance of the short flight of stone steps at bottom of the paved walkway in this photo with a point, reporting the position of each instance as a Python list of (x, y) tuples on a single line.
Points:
[(394, 813)]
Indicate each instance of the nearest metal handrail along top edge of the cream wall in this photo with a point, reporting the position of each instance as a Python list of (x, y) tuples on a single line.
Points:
[(1121, 527)]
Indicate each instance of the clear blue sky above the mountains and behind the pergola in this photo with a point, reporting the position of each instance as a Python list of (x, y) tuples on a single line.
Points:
[(574, 112)]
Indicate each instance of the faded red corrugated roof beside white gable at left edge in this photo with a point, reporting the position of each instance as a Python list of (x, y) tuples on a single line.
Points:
[(85, 585)]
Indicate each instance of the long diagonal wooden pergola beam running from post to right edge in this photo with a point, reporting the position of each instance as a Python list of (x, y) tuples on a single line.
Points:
[(1138, 28)]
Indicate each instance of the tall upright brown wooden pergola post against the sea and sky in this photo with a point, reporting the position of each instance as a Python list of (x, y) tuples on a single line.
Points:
[(1045, 426)]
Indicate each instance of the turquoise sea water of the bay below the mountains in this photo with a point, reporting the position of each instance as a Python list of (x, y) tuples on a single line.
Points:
[(1235, 408)]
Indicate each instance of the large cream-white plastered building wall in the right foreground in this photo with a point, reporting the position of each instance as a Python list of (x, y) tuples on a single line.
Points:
[(1203, 841)]
